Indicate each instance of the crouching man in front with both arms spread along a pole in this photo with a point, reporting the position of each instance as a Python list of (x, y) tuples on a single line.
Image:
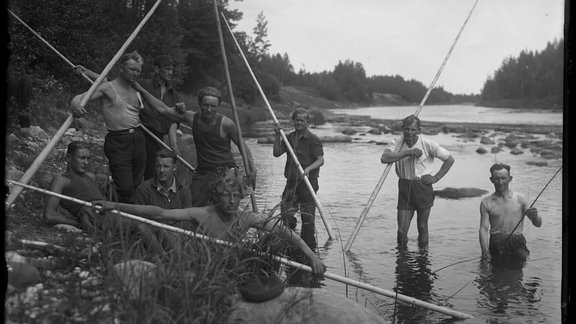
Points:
[(223, 220)]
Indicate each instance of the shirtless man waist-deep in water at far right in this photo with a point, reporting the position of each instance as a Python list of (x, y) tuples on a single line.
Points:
[(502, 216)]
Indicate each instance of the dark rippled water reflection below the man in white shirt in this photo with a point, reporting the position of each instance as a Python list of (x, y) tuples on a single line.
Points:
[(415, 279)]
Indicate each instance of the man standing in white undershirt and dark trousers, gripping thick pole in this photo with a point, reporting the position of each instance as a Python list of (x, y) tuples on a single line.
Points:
[(124, 145)]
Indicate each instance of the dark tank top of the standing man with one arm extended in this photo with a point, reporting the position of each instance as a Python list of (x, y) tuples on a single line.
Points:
[(212, 150)]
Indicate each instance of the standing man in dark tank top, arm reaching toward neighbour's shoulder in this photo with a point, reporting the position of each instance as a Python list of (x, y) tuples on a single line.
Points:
[(213, 134)]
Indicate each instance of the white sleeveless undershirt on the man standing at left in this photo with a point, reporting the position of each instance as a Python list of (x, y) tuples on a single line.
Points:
[(119, 115)]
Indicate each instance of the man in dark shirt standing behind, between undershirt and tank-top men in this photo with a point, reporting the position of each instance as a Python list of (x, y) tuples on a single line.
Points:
[(160, 86)]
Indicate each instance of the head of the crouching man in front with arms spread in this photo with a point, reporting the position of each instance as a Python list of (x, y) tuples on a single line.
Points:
[(228, 192)]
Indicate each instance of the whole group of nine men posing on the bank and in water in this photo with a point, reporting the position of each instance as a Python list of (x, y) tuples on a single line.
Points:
[(211, 202)]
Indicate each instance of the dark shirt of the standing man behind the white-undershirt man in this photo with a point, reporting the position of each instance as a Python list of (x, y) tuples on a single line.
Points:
[(151, 118)]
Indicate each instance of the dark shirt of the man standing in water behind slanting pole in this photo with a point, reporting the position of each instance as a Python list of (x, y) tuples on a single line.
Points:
[(308, 148)]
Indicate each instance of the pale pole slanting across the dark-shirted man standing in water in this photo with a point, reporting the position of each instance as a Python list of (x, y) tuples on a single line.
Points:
[(284, 138)]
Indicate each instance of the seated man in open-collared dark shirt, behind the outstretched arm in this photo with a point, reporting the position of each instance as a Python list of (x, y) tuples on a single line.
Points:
[(163, 190)]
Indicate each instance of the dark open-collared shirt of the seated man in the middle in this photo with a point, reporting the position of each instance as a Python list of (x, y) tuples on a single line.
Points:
[(151, 193)]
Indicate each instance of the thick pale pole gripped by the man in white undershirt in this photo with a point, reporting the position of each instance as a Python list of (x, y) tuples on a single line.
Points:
[(44, 154)]
